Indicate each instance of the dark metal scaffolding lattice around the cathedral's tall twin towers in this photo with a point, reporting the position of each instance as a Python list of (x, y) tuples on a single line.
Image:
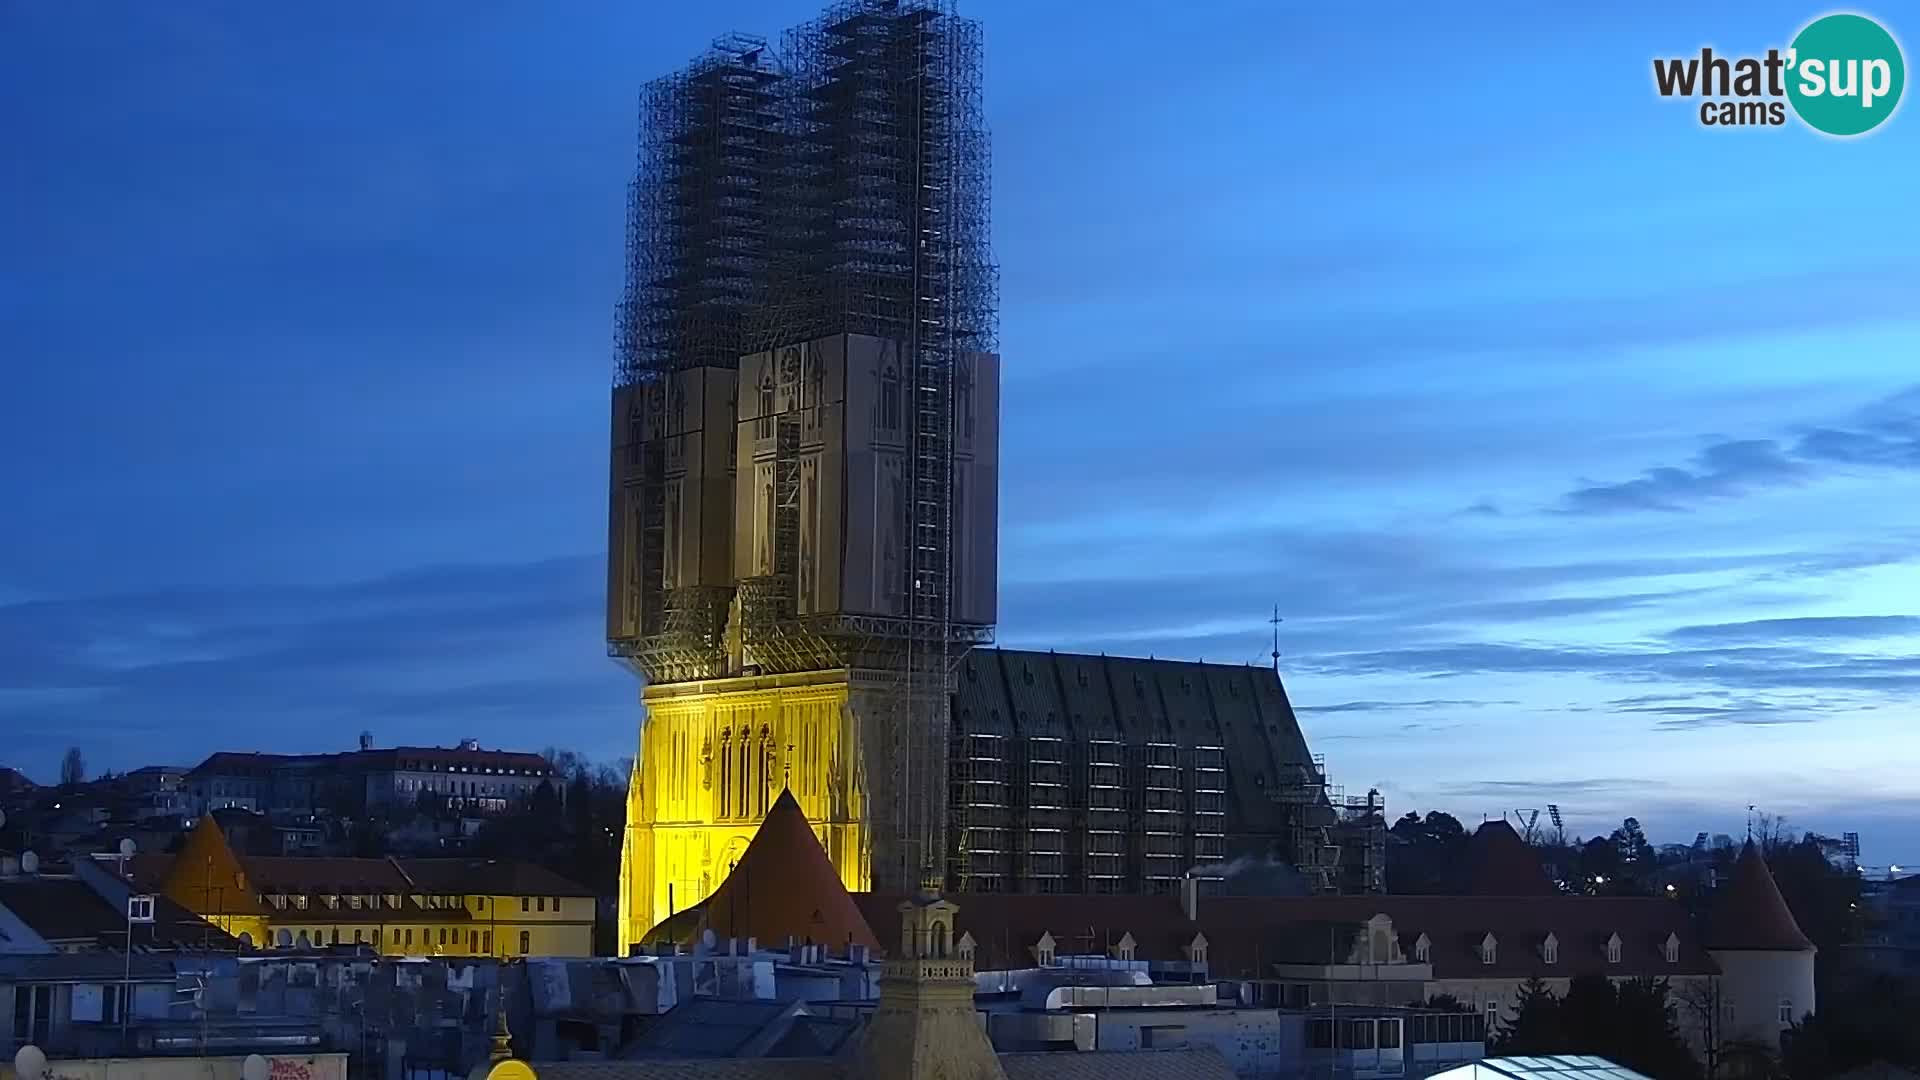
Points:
[(834, 187)]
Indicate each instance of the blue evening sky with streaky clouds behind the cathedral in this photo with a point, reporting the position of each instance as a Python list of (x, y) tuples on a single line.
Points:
[(1577, 445)]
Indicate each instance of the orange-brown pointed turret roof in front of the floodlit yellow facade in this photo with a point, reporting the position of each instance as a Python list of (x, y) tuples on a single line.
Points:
[(784, 887)]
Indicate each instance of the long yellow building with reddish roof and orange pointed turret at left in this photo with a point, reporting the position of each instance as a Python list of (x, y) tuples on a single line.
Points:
[(468, 908)]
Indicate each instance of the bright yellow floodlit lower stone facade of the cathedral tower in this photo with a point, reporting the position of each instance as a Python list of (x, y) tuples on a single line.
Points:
[(713, 760)]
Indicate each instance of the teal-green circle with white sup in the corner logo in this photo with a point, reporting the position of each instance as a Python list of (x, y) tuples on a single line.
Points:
[(1846, 74)]
